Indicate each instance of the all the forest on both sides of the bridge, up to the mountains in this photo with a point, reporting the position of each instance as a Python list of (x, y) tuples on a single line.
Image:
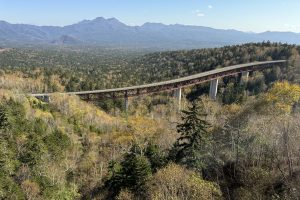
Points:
[(245, 145)]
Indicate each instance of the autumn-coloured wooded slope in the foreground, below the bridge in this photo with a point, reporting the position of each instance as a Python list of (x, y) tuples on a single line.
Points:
[(70, 149)]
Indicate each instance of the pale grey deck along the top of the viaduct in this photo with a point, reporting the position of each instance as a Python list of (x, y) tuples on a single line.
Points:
[(219, 71)]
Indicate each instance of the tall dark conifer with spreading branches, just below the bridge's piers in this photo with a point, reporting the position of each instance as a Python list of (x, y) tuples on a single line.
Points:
[(190, 148)]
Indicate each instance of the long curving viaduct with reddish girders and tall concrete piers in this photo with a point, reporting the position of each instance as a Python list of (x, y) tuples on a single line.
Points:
[(173, 85)]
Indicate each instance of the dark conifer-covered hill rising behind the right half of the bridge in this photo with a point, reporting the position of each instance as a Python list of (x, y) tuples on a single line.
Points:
[(166, 65)]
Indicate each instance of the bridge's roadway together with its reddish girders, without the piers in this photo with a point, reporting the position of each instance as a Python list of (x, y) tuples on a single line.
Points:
[(172, 84)]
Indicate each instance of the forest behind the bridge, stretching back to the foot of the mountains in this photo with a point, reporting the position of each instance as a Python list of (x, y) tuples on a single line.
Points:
[(78, 70)]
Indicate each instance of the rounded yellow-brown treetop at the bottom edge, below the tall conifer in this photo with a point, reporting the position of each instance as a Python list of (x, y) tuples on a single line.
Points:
[(176, 182)]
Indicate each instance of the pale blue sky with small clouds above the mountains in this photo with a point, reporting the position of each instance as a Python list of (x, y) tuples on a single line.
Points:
[(245, 15)]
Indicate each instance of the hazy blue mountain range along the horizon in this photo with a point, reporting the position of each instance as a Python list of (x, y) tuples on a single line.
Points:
[(111, 32)]
